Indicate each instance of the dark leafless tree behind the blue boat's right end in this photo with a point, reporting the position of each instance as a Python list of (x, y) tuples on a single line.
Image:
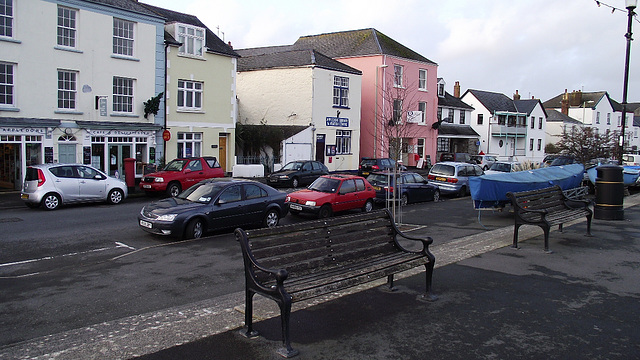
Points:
[(584, 143)]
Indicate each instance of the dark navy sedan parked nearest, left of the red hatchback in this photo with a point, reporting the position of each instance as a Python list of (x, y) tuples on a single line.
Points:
[(214, 204)]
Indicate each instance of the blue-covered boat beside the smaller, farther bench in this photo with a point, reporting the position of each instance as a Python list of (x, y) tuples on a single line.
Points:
[(490, 190)]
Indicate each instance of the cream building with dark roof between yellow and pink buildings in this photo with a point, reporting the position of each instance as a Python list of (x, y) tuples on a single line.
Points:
[(303, 89)]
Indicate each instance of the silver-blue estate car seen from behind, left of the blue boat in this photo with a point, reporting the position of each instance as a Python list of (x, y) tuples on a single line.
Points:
[(453, 177)]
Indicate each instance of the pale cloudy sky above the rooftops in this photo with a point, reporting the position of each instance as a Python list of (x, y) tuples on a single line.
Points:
[(538, 47)]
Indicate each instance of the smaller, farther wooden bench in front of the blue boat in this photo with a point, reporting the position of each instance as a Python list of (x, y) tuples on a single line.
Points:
[(545, 208)]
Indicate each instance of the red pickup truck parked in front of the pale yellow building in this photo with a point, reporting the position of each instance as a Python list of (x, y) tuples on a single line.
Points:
[(181, 174)]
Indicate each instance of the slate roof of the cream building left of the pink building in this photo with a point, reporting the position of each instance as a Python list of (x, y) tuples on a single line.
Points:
[(266, 59)]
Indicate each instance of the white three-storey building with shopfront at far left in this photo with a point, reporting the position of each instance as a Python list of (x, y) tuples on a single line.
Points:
[(73, 78)]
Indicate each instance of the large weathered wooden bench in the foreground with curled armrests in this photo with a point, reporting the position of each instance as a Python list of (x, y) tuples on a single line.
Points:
[(297, 262)]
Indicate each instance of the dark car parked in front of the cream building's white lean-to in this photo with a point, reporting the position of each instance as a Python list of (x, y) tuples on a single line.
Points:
[(296, 173)]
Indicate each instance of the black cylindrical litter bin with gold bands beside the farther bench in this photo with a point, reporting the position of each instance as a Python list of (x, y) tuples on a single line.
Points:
[(609, 193)]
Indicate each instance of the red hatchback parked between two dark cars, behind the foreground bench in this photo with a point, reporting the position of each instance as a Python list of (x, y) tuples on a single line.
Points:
[(332, 193)]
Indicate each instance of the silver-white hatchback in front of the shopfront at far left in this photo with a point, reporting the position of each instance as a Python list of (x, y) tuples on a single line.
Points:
[(52, 185)]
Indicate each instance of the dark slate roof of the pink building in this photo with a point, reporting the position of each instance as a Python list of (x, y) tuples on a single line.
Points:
[(358, 43)]
